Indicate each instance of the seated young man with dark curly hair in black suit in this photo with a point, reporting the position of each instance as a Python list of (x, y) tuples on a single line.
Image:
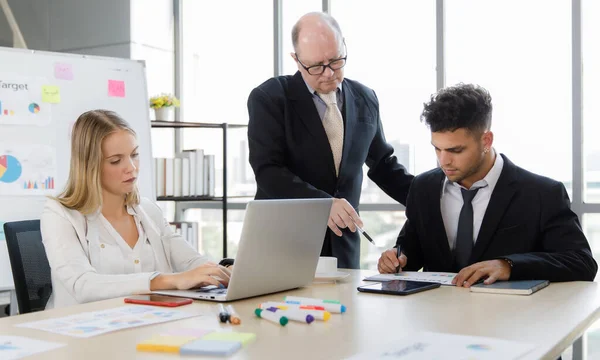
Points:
[(479, 214)]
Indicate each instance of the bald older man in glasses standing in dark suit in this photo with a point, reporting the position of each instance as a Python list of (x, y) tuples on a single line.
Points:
[(311, 133)]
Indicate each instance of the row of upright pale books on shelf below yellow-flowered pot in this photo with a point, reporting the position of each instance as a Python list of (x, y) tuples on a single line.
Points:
[(189, 173)]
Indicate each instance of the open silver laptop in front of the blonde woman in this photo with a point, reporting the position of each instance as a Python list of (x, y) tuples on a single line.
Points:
[(279, 249)]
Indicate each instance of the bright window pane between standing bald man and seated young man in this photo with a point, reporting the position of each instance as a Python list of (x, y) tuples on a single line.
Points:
[(391, 49)]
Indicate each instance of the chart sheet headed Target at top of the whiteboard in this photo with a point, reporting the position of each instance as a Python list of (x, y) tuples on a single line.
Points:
[(21, 101)]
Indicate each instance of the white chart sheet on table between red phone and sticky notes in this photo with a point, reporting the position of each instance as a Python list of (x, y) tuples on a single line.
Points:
[(94, 323)]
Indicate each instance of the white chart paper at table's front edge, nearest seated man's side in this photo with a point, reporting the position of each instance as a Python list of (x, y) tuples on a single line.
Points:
[(438, 346)]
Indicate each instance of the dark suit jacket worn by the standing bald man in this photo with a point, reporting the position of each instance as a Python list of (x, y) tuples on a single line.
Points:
[(291, 156)]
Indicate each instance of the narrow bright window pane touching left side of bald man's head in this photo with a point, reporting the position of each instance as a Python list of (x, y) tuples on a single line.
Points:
[(291, 11)]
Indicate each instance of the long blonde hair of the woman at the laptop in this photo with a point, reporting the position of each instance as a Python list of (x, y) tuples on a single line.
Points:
[(84, 187)]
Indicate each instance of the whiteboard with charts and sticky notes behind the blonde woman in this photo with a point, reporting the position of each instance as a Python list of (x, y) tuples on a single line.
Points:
[(41, 96)]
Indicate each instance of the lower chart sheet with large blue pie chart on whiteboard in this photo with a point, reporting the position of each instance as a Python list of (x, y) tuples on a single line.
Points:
[(27, 170)]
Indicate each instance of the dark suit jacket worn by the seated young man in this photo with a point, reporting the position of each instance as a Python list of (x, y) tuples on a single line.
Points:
[(528, 220)]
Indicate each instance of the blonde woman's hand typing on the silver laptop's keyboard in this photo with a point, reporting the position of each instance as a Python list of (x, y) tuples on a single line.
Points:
[(203, 275)]
